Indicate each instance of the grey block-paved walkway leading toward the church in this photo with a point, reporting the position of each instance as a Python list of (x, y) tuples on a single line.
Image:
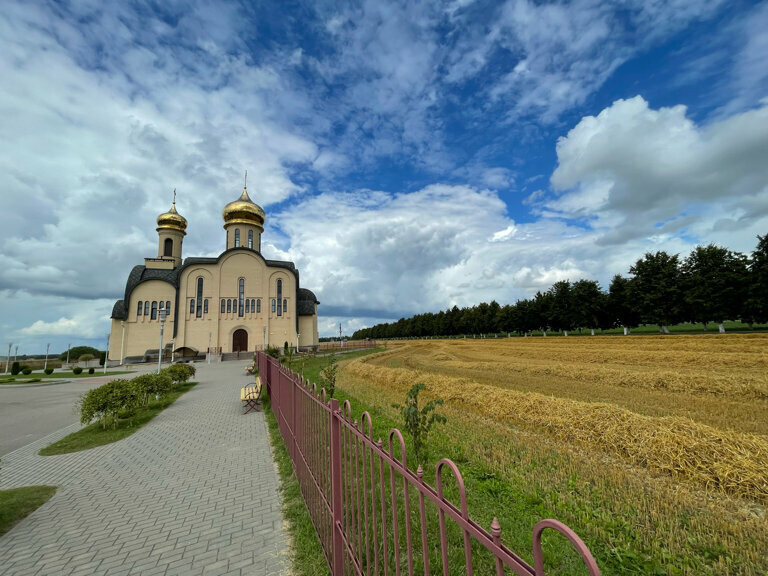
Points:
[(193, 492)]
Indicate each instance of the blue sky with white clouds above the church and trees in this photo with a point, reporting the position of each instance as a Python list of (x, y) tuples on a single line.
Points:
[(409, 156)]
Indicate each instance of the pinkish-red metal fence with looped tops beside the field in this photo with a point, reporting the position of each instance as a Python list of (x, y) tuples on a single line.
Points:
[(375, 516)]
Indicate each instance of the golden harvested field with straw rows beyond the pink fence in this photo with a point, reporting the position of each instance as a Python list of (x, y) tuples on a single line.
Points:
[(654, 448)]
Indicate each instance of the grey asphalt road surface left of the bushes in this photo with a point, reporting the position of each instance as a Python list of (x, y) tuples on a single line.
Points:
[(30, 411)]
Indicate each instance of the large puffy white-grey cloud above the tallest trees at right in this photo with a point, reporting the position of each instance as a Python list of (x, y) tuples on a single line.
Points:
[(633, 171)]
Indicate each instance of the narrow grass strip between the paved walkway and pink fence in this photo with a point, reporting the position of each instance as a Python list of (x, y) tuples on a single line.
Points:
[(307, 555)]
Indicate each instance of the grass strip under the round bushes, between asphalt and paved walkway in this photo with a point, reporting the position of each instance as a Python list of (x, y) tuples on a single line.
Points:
[(94, 435)]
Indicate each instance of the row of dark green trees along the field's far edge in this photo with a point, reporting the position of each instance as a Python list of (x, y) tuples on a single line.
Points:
[(711, 285)]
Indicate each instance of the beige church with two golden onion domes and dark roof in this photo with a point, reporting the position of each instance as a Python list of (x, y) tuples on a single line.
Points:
[(237, 302)]
